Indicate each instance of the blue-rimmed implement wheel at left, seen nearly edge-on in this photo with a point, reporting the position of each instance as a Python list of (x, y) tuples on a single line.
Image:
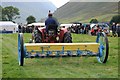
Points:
[(20, 49)]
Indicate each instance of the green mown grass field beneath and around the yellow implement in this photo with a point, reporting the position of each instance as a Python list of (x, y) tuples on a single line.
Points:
[(79, 67)]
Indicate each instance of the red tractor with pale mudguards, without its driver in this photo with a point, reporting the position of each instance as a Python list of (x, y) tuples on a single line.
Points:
[(52, 36)]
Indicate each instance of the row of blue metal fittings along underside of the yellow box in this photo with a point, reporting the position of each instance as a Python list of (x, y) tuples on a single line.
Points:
[(48, 52)]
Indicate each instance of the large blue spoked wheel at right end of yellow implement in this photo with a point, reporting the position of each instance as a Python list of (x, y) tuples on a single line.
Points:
[(103, 48)]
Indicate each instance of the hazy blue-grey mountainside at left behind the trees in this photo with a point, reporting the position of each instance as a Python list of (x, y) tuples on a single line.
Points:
[(37, 9)]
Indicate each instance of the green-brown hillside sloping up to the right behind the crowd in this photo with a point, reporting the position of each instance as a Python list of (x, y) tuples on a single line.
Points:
[(85, 11)]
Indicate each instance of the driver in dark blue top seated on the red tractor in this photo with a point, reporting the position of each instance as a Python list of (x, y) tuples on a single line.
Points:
[(51, 23)]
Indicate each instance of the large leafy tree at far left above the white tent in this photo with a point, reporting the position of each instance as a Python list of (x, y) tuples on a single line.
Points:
[(10, 13)]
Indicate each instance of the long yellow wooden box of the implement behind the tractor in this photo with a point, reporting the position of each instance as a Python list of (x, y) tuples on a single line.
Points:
[(59, 46)]
